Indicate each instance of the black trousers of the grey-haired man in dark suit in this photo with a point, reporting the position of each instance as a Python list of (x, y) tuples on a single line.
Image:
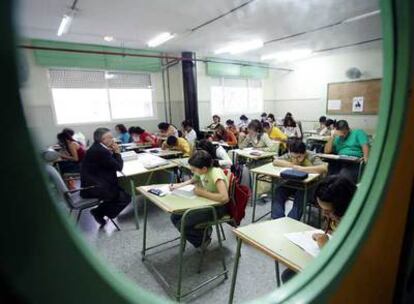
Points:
[(114, 199)]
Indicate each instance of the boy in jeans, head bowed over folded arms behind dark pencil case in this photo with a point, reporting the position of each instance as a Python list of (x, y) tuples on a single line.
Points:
[(298, 159)]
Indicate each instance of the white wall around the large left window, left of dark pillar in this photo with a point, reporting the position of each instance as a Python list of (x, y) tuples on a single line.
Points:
[(37, 101)]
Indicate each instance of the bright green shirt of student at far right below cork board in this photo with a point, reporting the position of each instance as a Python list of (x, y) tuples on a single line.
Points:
[(352, 144)]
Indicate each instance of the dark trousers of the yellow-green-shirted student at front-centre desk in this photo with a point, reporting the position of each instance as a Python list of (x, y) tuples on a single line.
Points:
[(193, 235)]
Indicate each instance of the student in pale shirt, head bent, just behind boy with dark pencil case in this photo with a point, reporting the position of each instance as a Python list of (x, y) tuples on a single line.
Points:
[(258, 138)]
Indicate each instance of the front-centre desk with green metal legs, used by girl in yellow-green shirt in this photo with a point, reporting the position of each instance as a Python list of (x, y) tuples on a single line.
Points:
[(172, 203)]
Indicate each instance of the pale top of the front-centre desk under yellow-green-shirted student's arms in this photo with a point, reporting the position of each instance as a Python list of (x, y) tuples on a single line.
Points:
[(173, 203)]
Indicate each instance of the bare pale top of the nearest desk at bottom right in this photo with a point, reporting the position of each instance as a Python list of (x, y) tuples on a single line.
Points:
[(268, 237)]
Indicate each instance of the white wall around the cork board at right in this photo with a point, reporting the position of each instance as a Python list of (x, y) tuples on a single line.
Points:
[(304, 91)]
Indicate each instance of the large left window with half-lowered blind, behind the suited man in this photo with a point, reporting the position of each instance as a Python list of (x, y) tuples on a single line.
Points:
[(81, 96)]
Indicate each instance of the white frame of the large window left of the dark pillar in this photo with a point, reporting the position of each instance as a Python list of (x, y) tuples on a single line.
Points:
[(111, 120)]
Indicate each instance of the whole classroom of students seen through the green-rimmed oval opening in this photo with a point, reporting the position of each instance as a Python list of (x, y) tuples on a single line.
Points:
[(207, 152)]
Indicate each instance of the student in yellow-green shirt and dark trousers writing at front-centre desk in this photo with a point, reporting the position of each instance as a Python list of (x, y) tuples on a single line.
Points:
[(211, 183)]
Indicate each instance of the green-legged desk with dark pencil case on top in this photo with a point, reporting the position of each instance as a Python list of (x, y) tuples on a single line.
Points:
[(270, 173)]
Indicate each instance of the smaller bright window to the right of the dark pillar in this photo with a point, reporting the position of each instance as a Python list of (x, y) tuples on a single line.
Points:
[(237, 96)]
